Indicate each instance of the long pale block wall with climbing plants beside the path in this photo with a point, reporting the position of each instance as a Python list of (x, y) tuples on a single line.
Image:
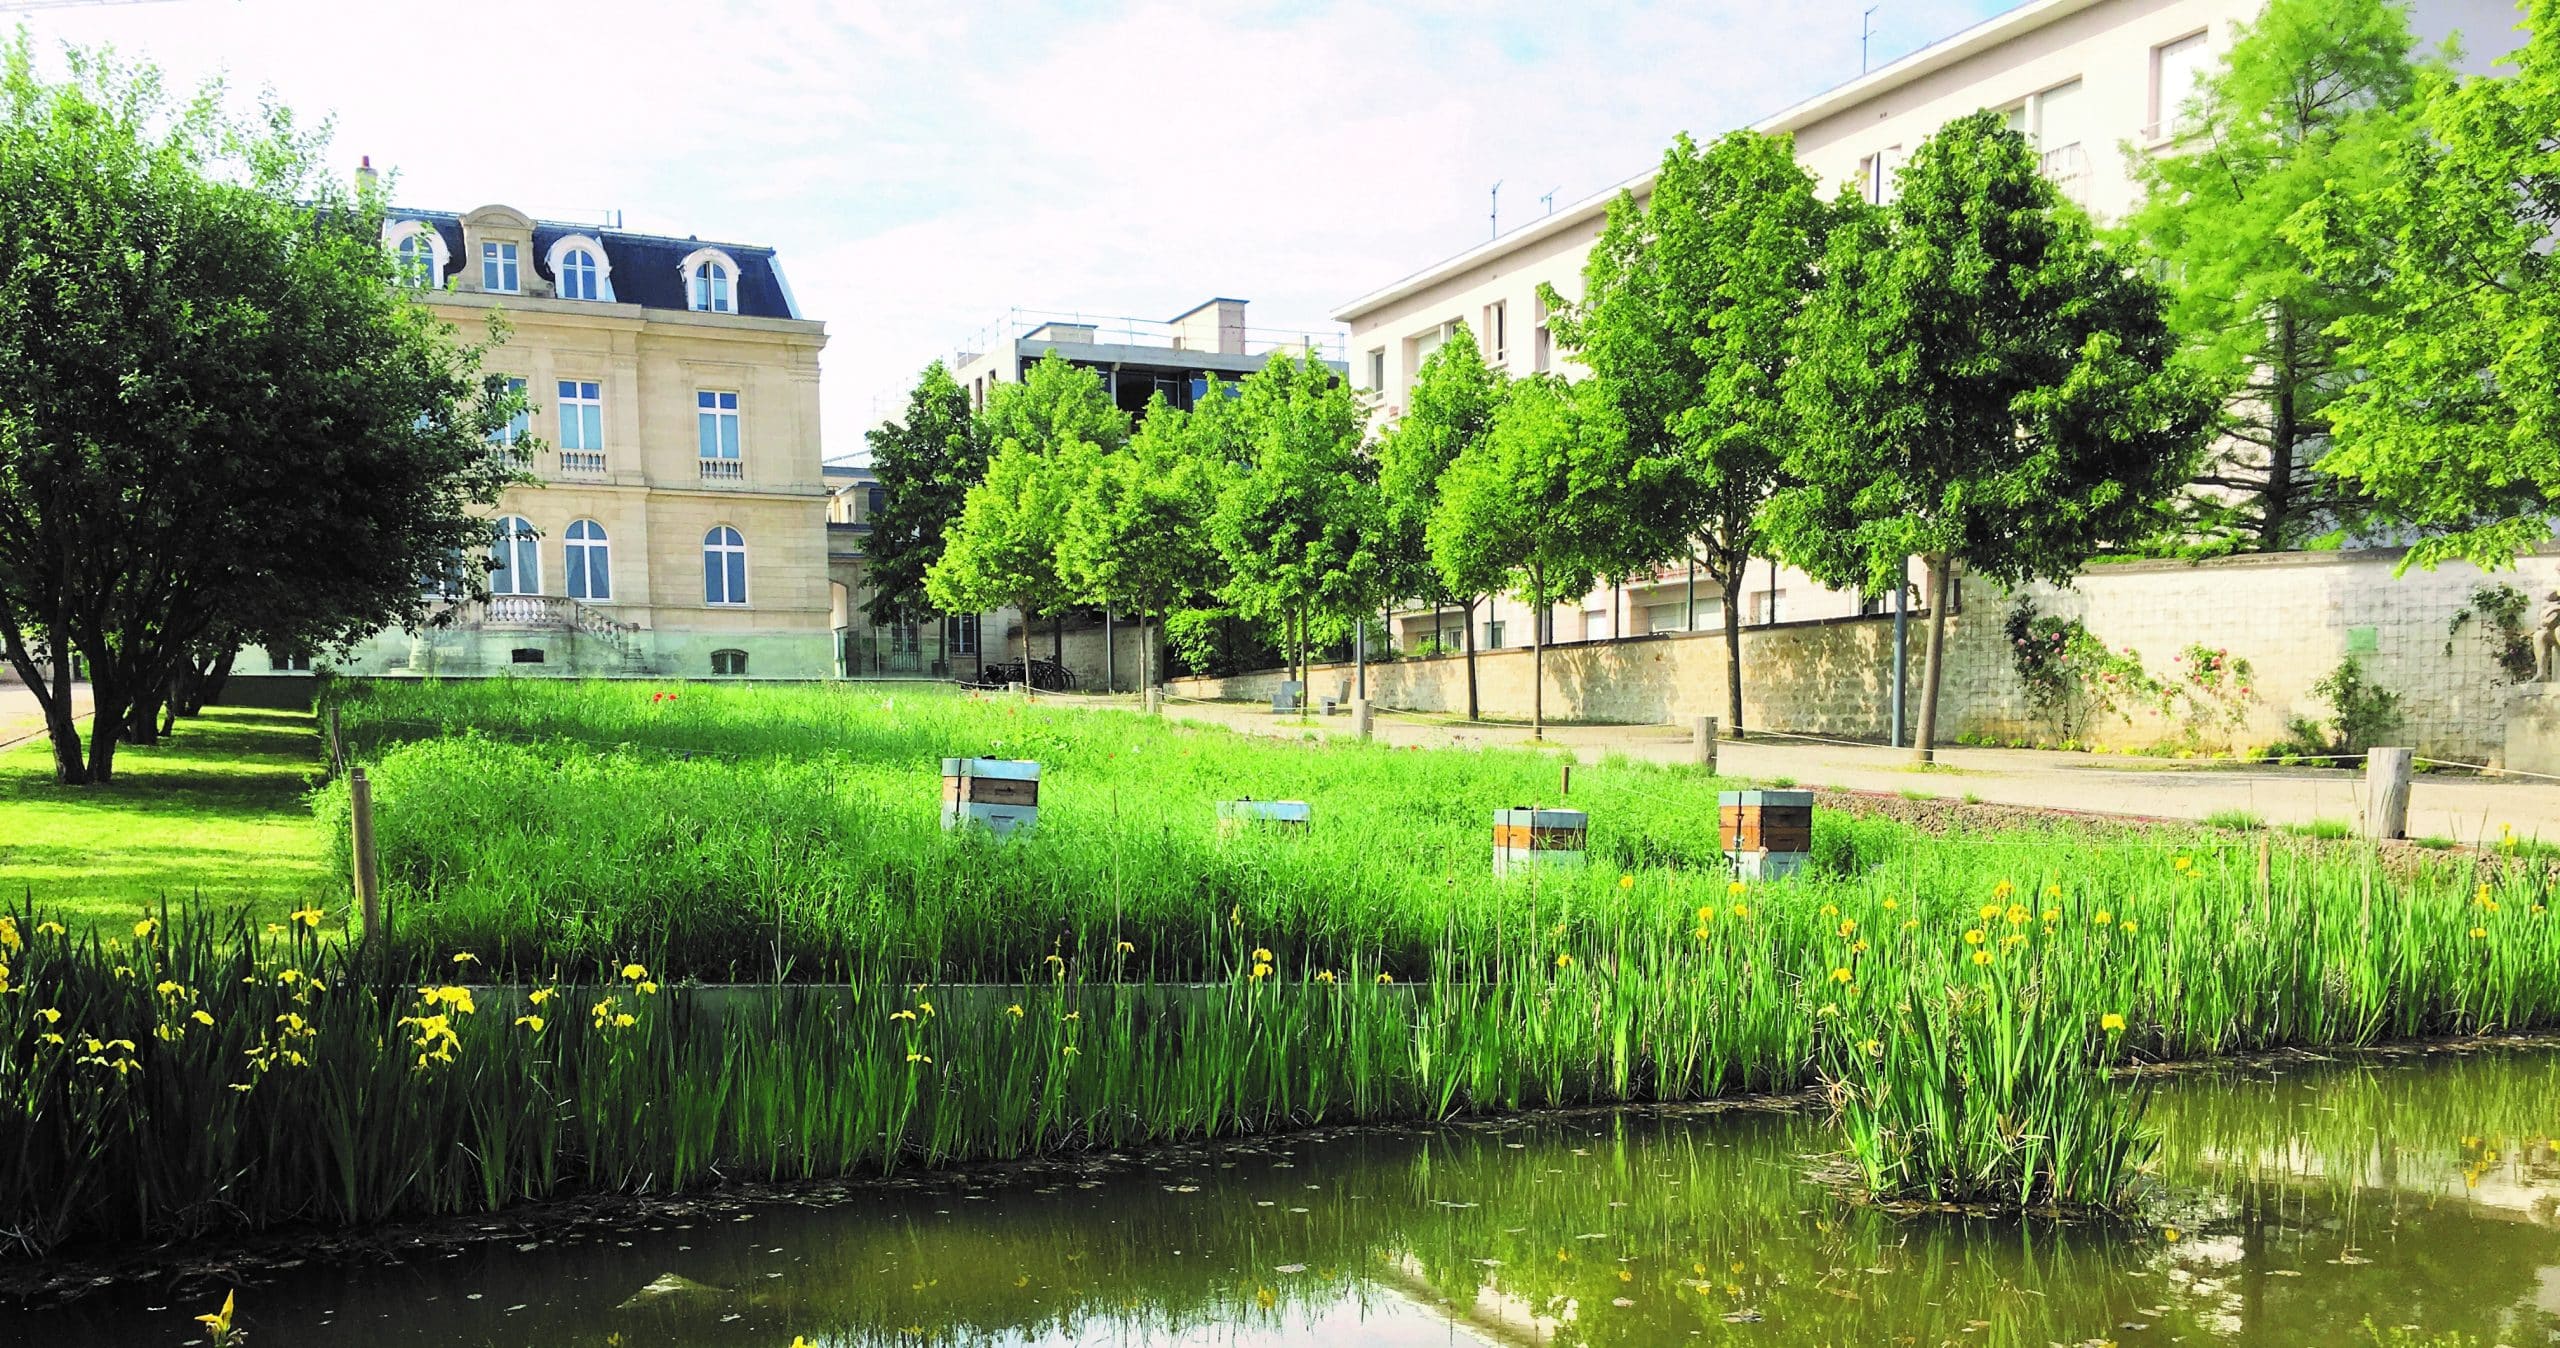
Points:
[(2292, 618)]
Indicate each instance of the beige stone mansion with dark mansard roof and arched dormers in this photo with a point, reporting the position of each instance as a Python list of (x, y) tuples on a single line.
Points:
[(677, 523)]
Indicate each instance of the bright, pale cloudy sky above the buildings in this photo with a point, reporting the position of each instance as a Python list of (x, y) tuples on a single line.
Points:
[(925, 168)]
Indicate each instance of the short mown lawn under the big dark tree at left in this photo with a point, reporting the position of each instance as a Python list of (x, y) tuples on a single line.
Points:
[(214, 815)]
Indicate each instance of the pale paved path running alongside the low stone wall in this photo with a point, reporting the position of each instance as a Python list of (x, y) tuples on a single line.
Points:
[(2464, 810)]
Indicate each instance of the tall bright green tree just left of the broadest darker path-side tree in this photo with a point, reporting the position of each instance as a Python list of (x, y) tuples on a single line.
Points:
[(1688, 324)]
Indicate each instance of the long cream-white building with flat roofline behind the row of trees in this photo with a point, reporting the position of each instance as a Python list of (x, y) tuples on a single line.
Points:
[(2090, 83)]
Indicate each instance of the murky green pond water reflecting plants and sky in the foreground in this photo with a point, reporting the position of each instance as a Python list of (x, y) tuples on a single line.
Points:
[(2295, 1206)]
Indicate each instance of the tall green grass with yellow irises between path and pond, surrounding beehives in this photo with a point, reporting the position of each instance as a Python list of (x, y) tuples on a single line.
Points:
[(1128, 976)]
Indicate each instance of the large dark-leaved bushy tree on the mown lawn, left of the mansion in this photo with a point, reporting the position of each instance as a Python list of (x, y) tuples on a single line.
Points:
[(219, 416)]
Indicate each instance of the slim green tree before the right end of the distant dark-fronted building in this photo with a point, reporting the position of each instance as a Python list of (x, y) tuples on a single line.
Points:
[(1302, 521)]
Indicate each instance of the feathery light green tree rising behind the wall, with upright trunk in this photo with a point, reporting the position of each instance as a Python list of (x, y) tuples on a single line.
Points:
[(2310, 101)]
